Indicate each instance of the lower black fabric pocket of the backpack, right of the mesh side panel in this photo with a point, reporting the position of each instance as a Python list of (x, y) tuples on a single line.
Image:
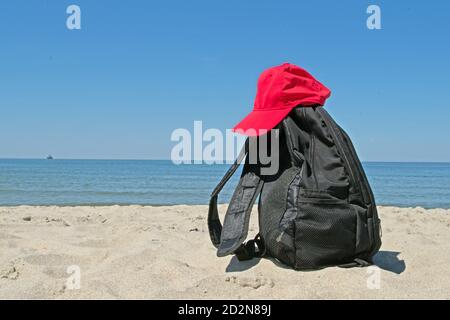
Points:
[(325, 234)]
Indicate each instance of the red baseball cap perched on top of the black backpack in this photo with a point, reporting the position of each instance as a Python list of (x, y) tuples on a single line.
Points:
[(280, 89)]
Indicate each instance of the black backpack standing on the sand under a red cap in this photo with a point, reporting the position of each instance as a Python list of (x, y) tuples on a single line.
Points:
[(318, 210)]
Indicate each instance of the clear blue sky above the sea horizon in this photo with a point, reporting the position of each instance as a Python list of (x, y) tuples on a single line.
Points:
[(139, 69)]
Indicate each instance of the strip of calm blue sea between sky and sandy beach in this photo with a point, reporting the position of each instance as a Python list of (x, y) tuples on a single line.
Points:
[(153, 182)]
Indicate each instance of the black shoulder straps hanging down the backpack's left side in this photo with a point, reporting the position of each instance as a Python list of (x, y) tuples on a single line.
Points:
[(229, 238)]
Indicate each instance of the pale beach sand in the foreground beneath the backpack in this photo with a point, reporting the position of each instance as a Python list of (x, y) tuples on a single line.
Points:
[(149, 252)]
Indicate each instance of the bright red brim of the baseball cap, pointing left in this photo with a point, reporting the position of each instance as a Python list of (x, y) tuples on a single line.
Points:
[(260, 122)]
